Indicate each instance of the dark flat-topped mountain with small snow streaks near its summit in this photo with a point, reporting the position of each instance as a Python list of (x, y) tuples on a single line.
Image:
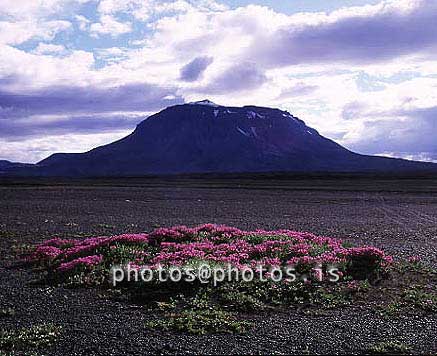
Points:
[(203, 137)]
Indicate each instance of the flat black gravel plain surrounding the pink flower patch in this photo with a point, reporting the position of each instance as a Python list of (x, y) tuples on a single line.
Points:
[(398, 215)]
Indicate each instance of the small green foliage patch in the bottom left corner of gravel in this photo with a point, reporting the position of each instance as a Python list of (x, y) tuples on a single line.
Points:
[(34, 337)]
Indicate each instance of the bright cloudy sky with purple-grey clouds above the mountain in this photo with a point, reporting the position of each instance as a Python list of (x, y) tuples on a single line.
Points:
[(76, 74)]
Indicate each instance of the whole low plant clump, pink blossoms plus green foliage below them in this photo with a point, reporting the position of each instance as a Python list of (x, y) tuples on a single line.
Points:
[(203, 306)]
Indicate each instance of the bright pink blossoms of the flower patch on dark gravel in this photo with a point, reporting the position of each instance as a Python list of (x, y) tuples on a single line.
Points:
[(215, 243)]
